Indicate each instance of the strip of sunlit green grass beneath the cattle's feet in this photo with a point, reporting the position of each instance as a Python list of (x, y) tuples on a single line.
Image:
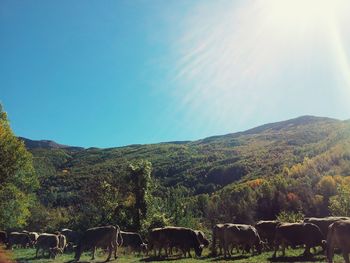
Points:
[(28, 255)]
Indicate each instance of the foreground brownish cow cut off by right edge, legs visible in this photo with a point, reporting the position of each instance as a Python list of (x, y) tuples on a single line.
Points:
[(338, 237)]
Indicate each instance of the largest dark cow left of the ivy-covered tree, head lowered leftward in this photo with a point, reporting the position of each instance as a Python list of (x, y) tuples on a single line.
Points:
[(104, 236)]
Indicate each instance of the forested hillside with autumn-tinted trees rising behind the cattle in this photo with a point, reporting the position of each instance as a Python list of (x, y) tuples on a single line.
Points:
[(242, 176)]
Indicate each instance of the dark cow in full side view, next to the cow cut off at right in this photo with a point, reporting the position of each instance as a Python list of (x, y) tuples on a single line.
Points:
[(295, 234)]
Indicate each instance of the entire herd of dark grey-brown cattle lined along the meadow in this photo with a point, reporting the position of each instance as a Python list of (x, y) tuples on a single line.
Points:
[(328, 233)]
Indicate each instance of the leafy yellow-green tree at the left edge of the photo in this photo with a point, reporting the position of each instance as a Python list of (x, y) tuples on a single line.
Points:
[(17, 177)]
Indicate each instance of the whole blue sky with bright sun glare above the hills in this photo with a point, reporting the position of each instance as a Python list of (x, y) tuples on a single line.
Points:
[(112, 73)]
